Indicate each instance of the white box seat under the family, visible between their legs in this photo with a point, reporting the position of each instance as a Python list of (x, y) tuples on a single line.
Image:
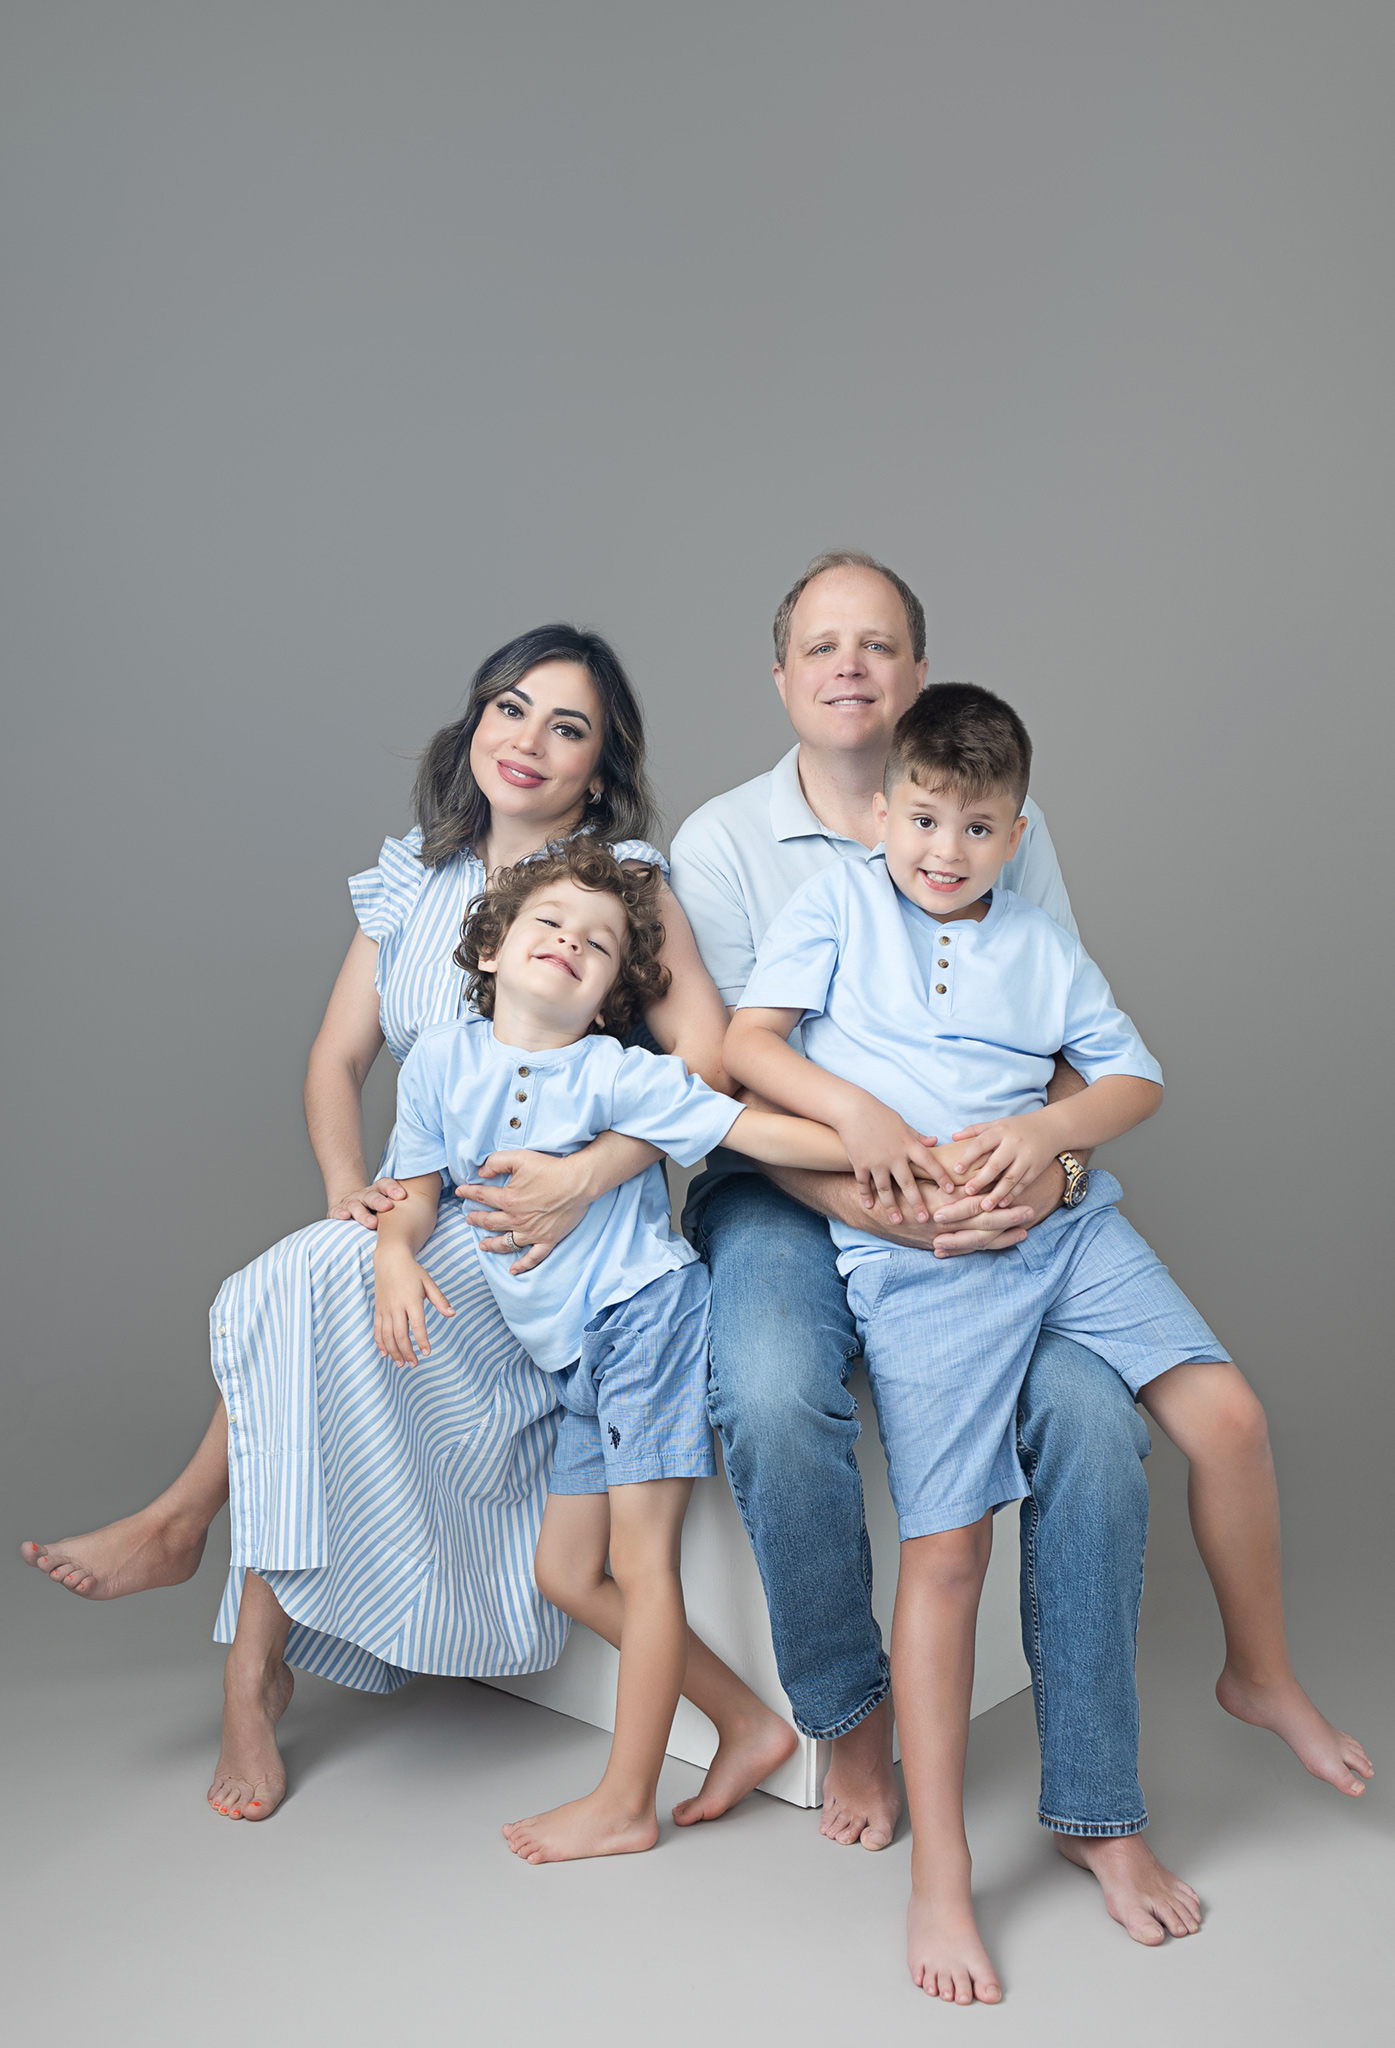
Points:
[(728, 1609)]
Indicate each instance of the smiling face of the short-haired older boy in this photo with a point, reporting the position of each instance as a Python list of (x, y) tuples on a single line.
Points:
[(945, 851)]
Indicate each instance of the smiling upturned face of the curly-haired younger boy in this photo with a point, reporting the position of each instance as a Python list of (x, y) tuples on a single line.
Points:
[(558, 964)]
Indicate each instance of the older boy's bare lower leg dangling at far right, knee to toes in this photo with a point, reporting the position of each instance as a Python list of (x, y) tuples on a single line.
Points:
[(1216, 1420)]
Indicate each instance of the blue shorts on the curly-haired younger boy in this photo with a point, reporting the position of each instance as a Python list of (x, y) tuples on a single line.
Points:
[(638, 1394)]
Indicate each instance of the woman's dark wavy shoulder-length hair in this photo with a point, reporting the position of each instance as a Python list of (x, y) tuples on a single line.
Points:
[(450, 804)]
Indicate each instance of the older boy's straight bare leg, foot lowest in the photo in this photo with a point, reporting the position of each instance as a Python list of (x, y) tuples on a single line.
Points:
[(937, 1607)]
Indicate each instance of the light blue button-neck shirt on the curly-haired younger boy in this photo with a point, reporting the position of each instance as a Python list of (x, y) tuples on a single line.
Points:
[(462, 1097)]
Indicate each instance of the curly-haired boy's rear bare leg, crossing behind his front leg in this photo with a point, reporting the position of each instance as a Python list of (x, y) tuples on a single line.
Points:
[(751, 1740)]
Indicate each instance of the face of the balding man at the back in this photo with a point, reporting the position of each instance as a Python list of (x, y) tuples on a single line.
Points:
[(849, 669)]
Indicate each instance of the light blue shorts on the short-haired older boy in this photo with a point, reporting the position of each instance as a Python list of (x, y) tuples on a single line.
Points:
[(947, 1345)]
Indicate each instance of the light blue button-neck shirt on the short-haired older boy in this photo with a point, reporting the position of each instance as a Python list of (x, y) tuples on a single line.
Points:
[(947, 1023)]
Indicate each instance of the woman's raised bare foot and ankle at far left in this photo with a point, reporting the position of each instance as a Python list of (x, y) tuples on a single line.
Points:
[(157, 1547)]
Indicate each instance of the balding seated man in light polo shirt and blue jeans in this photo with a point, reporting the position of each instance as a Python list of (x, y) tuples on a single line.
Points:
[(851, 658)]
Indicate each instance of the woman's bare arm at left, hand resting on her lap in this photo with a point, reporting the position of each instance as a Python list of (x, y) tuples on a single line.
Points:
[(345, 1048)]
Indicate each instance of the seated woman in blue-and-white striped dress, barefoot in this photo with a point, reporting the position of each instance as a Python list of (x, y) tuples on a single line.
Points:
[(384, 1523)]
